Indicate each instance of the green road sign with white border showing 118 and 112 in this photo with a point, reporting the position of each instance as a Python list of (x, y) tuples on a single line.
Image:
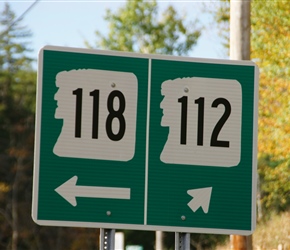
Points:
[(149, 142)]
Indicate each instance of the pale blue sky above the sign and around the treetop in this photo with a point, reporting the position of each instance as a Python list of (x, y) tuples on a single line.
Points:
[(69, 23)]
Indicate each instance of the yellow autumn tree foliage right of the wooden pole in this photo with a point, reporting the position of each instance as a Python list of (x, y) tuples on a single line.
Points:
[(271, 50)]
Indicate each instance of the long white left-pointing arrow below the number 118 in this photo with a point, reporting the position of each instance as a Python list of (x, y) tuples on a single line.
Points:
[(69, 191)]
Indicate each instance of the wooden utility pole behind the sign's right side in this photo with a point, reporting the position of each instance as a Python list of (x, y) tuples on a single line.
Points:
[(240, 30)]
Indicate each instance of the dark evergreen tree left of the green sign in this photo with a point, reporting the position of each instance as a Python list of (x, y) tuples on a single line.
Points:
[(17, 91)]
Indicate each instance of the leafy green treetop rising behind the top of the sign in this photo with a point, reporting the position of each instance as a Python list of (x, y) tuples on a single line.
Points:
[(137, 27)]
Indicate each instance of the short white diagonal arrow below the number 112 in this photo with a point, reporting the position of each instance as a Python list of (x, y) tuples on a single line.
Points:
[(201, 198)]
